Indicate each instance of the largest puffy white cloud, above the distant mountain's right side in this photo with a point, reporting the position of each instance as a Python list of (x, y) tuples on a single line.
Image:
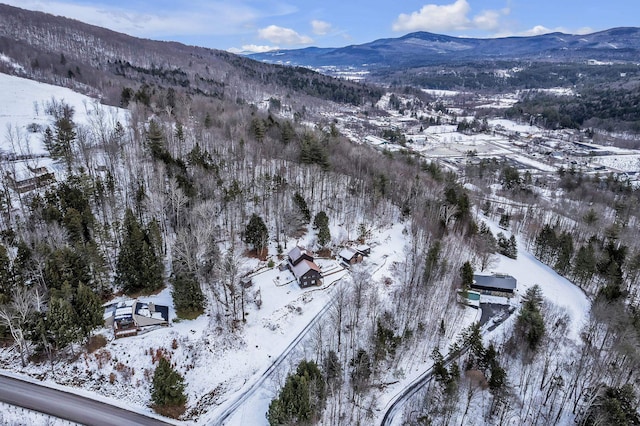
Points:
[(450, 17)]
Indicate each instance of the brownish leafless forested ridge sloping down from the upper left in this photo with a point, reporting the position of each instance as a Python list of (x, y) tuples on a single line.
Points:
[(102, 62)]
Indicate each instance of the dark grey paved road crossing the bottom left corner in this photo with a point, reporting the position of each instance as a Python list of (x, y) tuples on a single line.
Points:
[(68, 406)]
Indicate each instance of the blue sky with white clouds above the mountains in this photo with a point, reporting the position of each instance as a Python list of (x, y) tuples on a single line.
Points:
[(258, 25)]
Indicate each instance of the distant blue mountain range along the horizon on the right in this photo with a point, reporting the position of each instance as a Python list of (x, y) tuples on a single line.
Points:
[(424, 48)]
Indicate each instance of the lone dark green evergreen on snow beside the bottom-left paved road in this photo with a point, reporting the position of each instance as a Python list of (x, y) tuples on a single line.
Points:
[(167, 391)]
